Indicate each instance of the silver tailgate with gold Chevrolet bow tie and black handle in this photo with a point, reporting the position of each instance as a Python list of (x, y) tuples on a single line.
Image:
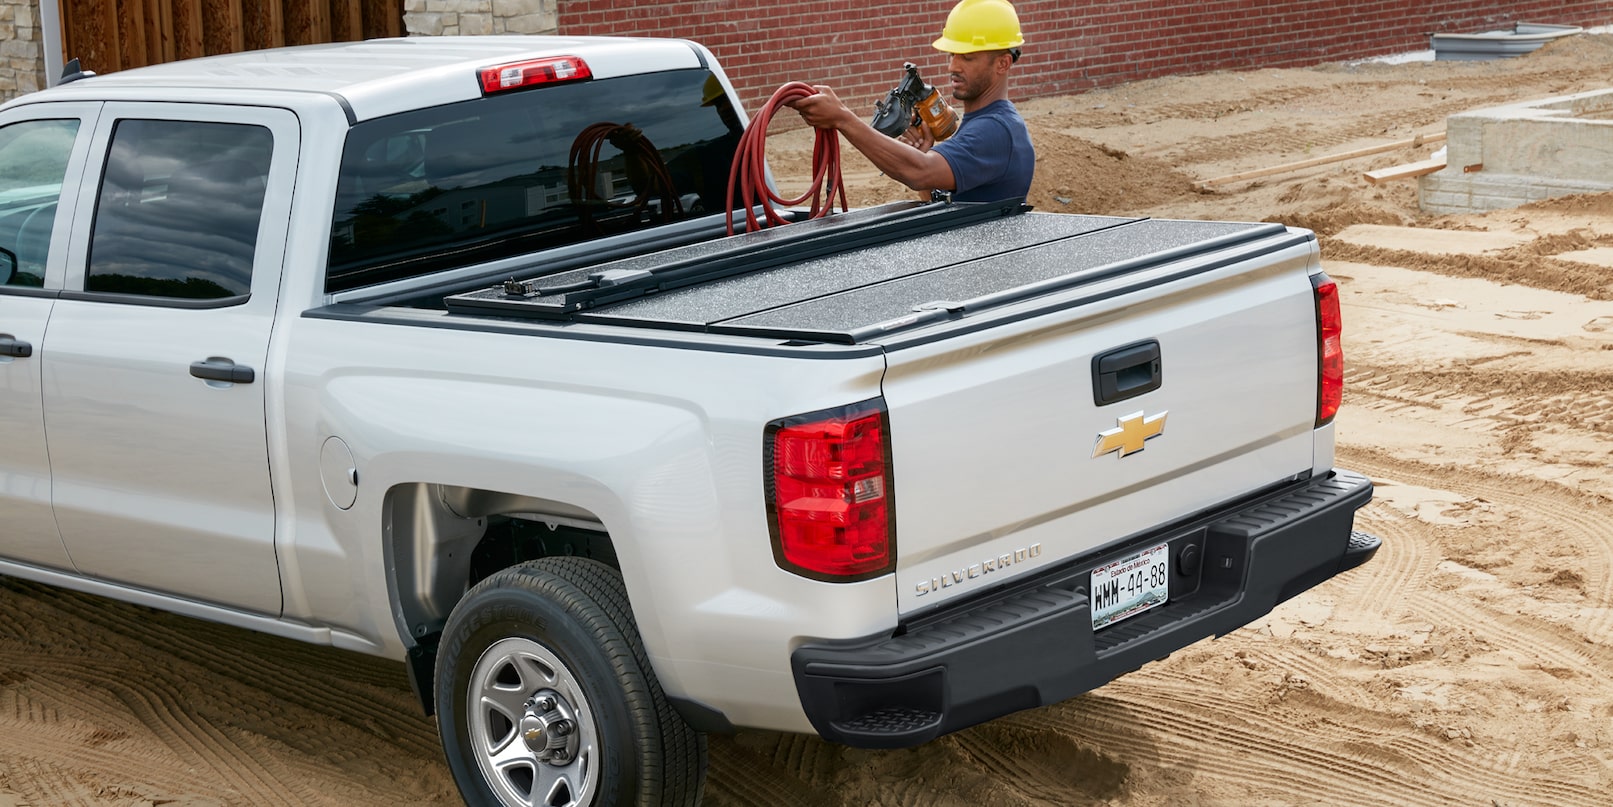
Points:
[(1006, 461)]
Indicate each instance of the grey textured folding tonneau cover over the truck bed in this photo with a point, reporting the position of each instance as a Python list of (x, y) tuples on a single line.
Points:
[(861, 275)]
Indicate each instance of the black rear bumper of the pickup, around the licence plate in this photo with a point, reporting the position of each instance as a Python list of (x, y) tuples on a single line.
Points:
[(1035, 645)]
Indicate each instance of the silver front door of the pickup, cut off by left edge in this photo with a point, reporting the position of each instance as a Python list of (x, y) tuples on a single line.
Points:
[(43, 151)]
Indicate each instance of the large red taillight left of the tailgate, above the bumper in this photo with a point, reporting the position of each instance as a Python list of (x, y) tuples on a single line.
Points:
[(830, 495)]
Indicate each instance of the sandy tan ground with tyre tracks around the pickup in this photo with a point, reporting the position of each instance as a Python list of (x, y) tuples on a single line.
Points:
[(1470, 663)]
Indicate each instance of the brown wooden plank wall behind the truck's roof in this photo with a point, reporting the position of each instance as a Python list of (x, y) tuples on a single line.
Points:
[(117, 35)]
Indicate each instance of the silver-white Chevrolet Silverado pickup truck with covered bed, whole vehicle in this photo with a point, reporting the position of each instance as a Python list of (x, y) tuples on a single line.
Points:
[(438, 349)]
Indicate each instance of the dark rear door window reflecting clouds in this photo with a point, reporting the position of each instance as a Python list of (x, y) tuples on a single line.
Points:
[(180, 209)]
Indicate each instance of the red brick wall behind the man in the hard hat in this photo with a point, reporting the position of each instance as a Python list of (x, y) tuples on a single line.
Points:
[(859, 46)]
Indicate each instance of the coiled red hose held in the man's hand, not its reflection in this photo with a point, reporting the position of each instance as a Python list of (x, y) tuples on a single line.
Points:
[(751, 167)]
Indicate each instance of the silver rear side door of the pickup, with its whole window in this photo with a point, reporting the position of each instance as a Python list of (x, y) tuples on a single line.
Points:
[(154, 367)]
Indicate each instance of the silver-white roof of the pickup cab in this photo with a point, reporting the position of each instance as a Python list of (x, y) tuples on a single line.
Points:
[(385, 77)]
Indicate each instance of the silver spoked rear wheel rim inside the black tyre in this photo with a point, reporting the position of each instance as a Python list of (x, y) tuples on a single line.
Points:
[(533, 732)]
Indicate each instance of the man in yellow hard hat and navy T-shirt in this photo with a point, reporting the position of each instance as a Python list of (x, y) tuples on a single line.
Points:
[(990, 159)]
